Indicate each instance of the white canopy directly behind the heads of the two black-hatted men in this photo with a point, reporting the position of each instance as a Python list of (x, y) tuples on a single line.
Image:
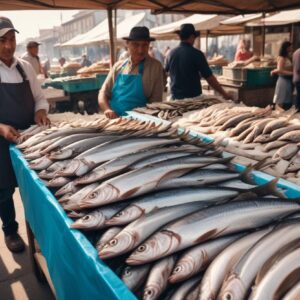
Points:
[(201, 23)]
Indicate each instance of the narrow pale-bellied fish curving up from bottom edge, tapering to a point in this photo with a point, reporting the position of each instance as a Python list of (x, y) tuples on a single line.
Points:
[(216, 272)]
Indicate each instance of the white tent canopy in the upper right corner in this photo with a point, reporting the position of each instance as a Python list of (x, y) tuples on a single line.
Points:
[(282, 18)]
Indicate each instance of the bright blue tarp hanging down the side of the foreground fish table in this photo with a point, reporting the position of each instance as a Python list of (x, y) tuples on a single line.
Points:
[(75, 269)]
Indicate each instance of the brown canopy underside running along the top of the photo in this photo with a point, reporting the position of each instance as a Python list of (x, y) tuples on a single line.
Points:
[(158, 6)]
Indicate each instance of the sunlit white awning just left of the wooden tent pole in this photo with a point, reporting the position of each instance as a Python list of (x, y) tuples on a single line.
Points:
[(84, 38)]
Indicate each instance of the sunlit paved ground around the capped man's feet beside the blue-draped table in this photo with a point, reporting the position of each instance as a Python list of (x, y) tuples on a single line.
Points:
[(17, 280)]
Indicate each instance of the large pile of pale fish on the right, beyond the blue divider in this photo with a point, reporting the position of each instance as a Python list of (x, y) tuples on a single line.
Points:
[(254, 133)]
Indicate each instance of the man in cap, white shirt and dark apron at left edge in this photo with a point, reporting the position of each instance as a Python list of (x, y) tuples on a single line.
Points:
[(22, 103)]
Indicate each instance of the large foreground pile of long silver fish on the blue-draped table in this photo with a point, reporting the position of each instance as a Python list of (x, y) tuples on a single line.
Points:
[(168, 213)]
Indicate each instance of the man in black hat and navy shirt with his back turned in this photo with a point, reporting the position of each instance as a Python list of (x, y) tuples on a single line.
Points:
[(186, 65)]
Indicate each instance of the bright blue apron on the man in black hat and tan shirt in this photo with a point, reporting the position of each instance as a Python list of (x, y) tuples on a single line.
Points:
[(128, 92)]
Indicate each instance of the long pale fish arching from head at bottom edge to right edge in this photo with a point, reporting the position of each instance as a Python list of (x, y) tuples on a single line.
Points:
[(240, 280)]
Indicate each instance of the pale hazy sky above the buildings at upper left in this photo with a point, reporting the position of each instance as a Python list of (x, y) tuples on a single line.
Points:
[(28, 22)]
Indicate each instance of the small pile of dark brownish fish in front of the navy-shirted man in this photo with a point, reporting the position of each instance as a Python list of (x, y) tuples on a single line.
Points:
[(173, 109)]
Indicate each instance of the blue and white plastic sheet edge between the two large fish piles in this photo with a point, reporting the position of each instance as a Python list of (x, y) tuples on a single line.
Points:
[(291, 190)]
